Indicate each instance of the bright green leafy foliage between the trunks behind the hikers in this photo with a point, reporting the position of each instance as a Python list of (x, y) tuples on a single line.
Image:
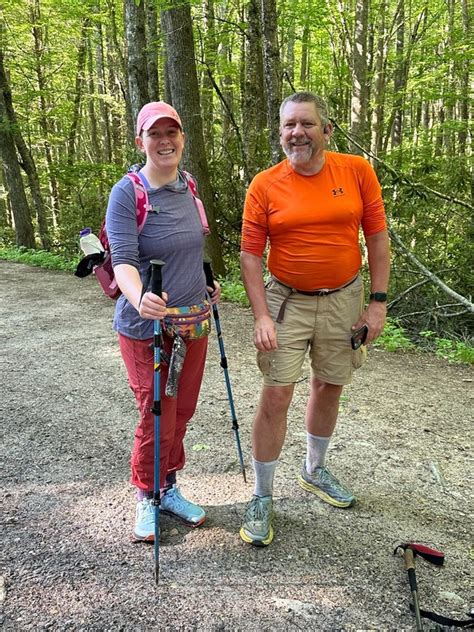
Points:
[(81, 103)]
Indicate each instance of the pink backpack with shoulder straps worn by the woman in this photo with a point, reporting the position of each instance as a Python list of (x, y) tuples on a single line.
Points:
[(101, 263)]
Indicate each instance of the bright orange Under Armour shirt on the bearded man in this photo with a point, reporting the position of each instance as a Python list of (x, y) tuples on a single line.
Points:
[(312, 222)]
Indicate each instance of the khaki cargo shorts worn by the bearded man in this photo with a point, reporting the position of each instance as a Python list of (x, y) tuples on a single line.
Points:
[(318, 324)]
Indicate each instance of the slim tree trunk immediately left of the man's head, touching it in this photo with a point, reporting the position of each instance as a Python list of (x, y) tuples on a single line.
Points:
[(271, 65)]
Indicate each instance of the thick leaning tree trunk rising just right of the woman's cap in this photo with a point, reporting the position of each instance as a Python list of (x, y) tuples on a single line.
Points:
[(177, 28)]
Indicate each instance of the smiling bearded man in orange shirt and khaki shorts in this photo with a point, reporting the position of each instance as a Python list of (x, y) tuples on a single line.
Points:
[(309, 209)]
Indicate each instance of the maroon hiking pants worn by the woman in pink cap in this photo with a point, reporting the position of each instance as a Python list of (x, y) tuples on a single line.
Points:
[(175, 412)]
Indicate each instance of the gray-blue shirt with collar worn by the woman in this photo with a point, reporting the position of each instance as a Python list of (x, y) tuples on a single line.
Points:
[(172, 232)]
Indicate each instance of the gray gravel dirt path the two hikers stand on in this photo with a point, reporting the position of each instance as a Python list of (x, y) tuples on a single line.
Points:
[(403, 442)]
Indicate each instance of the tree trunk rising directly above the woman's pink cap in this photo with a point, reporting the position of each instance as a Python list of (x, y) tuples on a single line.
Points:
[(137, 70)]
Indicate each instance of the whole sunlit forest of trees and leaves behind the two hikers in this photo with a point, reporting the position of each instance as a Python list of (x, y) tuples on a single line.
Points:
[(395, 73)]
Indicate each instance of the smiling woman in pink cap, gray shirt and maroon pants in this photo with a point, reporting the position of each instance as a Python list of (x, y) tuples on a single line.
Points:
[(173, 232)]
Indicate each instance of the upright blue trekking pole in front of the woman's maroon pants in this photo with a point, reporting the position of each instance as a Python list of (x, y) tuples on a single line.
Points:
[(156, 288)]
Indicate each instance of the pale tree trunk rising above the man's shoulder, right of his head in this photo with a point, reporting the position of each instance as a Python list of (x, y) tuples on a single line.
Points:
[(359, 75)]
